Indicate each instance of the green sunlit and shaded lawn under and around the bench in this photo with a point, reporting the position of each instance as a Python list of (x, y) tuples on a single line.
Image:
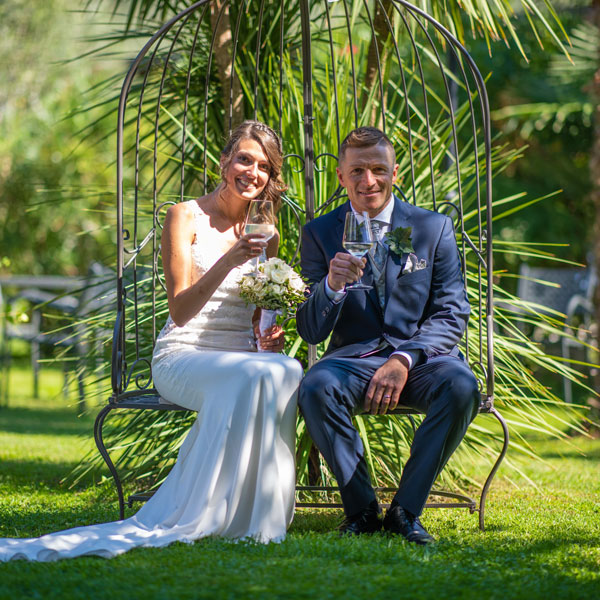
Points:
[(539, 543)]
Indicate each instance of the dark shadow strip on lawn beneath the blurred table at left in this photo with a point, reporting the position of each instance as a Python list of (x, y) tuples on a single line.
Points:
[(44, 421)]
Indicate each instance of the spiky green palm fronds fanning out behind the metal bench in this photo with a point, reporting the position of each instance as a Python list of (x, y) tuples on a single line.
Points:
[(146, 443)]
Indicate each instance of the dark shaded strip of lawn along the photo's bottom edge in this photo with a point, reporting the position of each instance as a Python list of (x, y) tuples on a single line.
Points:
[(308, 568)]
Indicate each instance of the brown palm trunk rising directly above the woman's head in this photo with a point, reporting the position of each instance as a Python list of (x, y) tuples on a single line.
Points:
[(222, 53)]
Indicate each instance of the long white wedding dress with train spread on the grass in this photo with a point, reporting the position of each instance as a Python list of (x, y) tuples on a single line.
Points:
[(235, 472)]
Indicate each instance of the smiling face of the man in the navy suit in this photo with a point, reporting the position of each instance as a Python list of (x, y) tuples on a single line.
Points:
[(368, 174)]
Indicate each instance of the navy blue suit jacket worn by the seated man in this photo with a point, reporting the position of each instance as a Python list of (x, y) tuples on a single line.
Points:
[(425, 312)]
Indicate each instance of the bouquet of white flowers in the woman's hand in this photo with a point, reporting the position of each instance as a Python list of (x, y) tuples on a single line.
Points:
[(276, 288)]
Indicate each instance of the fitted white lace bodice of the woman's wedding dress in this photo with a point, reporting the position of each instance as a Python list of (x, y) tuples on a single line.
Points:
[(225, 322)]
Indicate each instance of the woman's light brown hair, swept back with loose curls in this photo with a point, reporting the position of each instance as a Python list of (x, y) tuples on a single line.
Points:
[(271, 144)]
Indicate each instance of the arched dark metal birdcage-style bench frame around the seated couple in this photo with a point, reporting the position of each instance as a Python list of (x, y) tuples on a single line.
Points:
[(419, 31)]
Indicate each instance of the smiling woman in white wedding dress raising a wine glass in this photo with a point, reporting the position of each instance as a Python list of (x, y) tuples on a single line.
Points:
[(235, 474)]
